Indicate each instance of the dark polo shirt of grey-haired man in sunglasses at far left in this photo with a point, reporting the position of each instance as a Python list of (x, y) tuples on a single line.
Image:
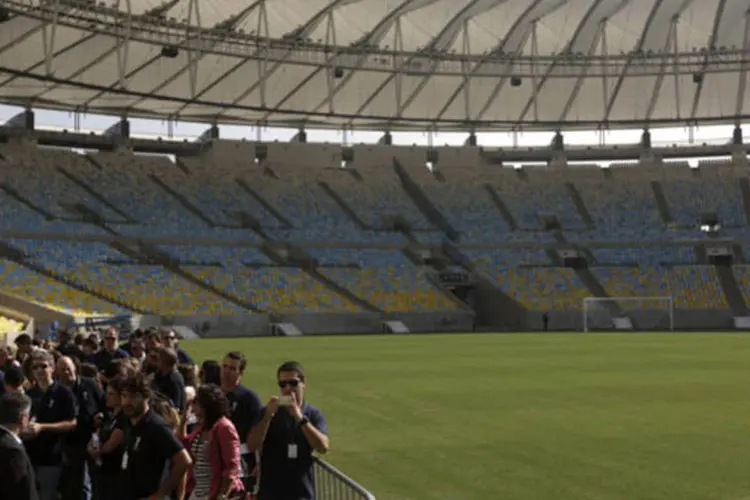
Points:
[(56, 404)]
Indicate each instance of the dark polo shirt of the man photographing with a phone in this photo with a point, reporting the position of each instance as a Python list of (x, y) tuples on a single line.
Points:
[(282, 477)]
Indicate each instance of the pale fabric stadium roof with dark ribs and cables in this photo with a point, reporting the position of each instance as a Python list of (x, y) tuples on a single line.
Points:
[(382, 64)]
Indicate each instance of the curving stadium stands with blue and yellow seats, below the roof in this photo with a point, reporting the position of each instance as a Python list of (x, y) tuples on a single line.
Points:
[(235, 237)]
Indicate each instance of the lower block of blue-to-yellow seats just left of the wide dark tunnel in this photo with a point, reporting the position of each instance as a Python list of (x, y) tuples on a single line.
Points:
[(385, 279)]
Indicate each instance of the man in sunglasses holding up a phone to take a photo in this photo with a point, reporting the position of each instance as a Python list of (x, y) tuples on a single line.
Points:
[(291, 430)]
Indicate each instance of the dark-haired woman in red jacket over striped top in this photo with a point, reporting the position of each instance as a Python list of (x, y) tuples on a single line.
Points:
[(215, 448)]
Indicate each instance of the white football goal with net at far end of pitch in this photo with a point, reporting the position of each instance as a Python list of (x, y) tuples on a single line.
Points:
[(628, 313)]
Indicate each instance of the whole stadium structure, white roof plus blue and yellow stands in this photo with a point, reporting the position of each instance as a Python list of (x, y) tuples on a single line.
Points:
[(238, 238)]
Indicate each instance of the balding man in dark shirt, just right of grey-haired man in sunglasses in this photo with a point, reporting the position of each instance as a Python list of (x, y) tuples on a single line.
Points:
[(75, 483)]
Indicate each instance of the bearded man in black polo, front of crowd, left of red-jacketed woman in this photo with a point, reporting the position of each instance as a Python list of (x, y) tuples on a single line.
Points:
[(150, 446)]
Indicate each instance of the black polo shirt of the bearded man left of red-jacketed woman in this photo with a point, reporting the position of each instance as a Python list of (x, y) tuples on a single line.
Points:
[(149, 446)]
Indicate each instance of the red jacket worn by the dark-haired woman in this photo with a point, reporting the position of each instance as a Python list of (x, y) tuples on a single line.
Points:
[(224, 454)]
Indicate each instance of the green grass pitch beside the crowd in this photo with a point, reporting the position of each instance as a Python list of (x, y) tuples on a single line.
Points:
[(527, 416)]
